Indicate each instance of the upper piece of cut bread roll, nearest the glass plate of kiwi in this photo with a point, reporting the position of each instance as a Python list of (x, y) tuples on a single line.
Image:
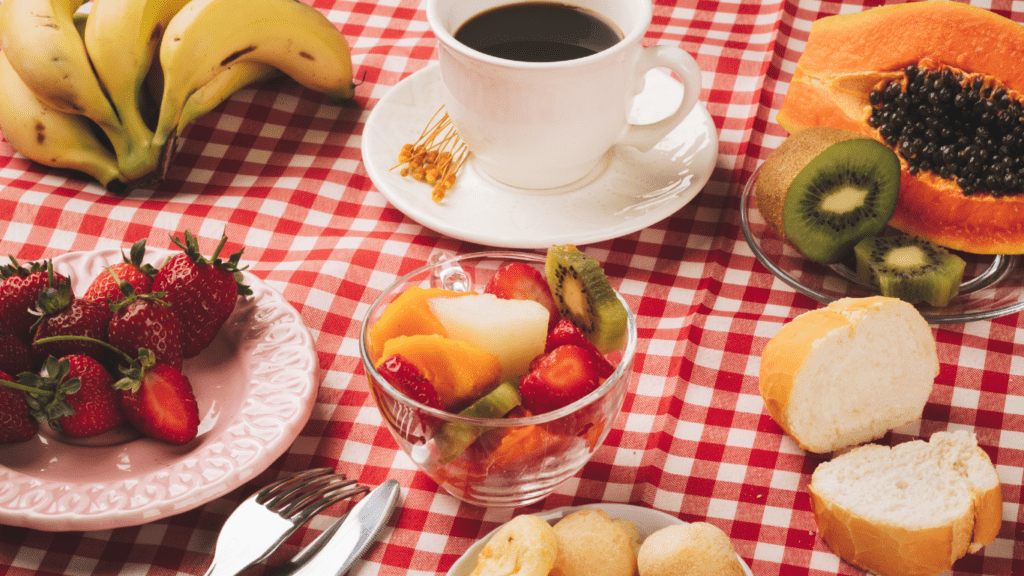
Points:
[(849, 374)]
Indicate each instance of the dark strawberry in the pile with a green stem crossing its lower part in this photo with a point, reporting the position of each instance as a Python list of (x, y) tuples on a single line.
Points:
[(63, 315)]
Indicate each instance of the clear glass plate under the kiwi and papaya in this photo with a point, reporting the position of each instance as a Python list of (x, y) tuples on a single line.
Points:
[(994, 286)]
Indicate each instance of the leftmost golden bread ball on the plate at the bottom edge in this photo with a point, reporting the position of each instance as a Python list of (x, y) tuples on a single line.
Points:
[(525, 547)]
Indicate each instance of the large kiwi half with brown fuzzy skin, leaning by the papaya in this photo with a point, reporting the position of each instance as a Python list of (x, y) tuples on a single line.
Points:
[(826, 189)]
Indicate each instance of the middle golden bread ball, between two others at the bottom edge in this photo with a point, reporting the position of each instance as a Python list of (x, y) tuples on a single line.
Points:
[(590, 544)]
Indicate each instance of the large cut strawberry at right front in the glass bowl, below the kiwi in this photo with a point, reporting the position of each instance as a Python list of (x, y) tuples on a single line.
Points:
[(560, 379)]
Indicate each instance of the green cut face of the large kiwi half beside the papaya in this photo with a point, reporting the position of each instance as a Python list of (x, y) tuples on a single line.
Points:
[(845, 194)]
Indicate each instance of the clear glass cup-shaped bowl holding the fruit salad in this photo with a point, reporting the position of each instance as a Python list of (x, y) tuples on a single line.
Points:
[(515, 462)]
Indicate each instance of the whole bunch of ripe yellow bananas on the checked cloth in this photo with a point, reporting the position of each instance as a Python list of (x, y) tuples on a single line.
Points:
[(73, 83)]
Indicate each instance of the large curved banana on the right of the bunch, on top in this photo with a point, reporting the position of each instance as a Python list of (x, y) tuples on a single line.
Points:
[(207, 36)]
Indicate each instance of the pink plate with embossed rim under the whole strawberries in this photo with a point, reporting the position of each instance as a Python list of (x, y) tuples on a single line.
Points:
[(257, 386)]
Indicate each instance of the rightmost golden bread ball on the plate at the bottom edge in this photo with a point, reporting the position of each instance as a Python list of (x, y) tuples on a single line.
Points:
[(689, 550)]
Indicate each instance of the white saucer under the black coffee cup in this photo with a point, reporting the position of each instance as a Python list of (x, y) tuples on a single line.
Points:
[(634, 192)]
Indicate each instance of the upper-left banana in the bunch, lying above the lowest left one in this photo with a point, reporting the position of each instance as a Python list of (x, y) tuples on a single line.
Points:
[(46, 50)]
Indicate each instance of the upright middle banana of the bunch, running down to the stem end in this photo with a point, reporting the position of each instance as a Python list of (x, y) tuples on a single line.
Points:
[(122, 37)]
